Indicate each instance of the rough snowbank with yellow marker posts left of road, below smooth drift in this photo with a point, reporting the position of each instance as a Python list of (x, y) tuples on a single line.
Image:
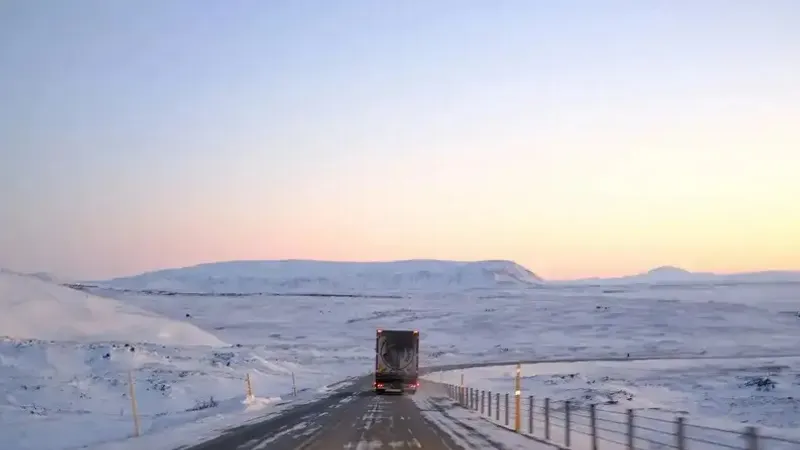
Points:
[(59, 395)]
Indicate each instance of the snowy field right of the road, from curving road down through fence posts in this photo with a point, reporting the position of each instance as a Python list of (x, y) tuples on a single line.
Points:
[(717, 399)]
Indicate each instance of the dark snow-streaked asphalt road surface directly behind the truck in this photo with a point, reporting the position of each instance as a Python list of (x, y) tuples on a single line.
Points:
[(354, 418)]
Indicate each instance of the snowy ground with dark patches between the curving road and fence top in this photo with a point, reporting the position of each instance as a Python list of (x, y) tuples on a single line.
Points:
[(725, 393)]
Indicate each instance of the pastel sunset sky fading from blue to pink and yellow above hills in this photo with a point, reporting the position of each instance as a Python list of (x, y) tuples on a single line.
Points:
[(578, 138)]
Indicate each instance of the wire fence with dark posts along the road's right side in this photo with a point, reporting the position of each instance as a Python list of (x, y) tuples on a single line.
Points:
[(571, 426)]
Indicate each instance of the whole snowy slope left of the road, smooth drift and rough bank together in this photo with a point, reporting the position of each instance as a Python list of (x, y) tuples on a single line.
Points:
[(65, 359)]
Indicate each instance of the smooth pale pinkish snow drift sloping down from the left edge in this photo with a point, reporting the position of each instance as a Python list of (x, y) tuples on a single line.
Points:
[(36, 309)]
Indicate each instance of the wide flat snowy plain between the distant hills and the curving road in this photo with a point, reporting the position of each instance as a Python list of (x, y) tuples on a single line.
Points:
[(505, 325)]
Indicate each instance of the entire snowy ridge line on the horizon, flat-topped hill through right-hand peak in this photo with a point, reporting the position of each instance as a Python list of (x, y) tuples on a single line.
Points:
[(394, 278)]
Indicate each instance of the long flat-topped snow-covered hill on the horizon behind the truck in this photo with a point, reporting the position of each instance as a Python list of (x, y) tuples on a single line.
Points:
[(331, 277)]
